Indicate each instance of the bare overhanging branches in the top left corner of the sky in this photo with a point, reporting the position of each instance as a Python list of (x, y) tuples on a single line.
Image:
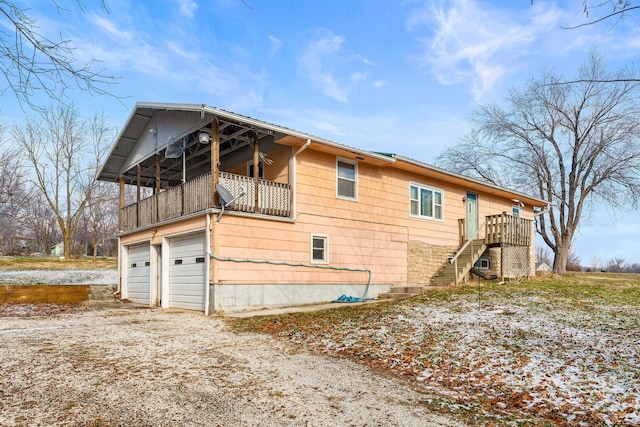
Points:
[(32, 63)]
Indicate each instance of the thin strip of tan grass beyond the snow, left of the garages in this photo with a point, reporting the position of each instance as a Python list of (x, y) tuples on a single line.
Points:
[(55, 263)]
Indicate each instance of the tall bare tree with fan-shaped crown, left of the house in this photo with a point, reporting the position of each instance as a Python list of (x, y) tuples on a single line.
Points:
[(60, 146)]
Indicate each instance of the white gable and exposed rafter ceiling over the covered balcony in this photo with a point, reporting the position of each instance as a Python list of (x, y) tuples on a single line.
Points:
[(150, 131)]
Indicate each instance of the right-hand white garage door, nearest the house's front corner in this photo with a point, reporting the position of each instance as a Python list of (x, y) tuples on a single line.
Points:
[(187, 272)]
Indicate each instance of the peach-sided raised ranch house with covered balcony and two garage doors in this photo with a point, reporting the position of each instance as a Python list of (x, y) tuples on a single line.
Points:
[(322, 220)]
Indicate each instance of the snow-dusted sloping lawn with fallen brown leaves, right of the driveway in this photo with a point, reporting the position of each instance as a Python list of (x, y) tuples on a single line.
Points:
[(554, 351)]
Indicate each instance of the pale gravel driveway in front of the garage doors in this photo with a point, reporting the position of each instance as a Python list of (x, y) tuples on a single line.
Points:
[(129, 366)]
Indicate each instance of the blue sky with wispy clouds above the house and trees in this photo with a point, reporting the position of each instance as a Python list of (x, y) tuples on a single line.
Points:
[(393, 76)]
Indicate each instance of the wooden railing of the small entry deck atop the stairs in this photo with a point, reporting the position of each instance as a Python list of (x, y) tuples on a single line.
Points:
[(501, 229)]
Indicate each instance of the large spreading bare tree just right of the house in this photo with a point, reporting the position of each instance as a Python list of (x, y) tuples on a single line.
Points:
[(574, 145)]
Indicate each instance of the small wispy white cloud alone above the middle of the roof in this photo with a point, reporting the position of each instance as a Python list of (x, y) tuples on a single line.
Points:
[(329, 65)]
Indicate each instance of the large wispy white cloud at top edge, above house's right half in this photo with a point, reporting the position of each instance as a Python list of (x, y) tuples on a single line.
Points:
[(475, 44)]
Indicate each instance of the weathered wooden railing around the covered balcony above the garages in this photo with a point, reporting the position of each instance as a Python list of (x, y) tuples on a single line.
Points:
[(274, 199)]
